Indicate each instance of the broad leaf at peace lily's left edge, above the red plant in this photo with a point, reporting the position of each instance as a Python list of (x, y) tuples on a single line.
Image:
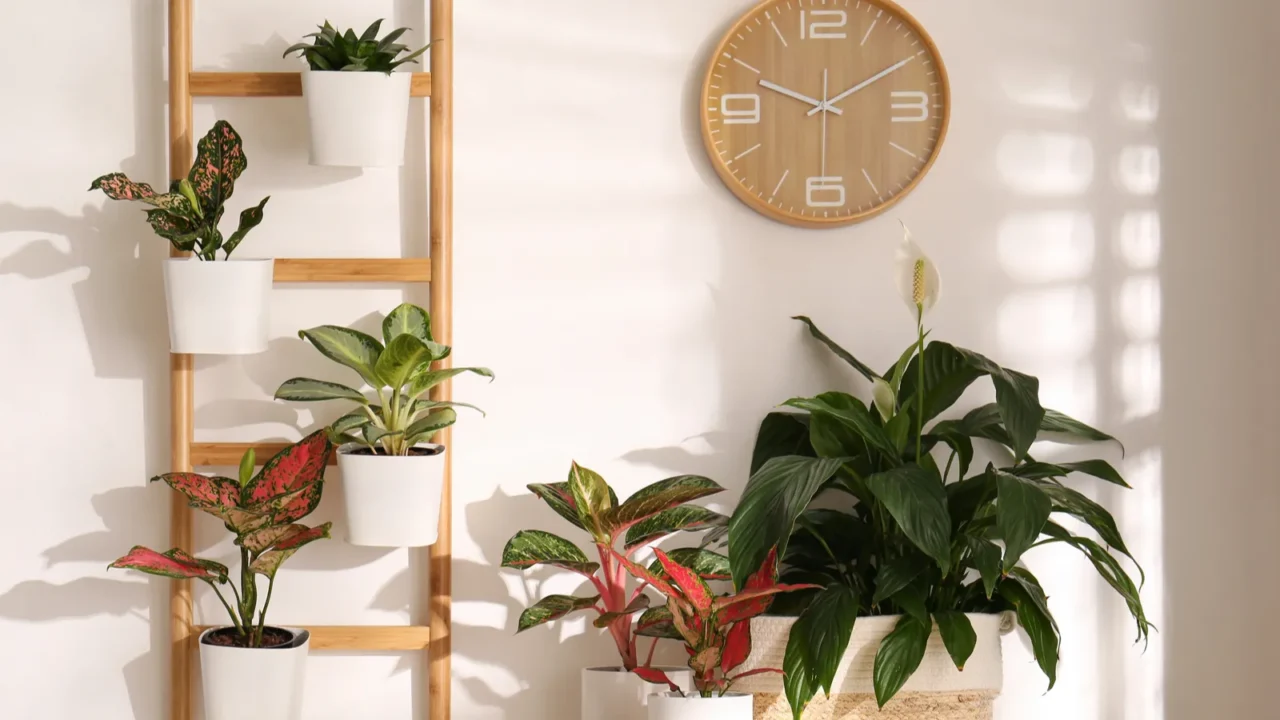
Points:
[(767, 513)]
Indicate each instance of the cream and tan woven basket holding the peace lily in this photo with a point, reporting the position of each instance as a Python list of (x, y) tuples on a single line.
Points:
[(938, 691)]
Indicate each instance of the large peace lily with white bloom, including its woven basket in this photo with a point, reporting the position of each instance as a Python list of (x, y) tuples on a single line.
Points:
[(925, 554)]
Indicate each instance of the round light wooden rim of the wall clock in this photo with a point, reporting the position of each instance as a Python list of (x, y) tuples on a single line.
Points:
[(755, 200)]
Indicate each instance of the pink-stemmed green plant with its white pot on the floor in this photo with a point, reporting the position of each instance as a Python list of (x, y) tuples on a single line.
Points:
[(650, 516)]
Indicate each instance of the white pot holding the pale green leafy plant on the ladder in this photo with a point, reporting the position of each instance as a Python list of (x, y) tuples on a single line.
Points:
[(392, 502)]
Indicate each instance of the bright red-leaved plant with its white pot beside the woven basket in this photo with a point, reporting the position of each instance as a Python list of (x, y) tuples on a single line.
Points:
[(716, 631)]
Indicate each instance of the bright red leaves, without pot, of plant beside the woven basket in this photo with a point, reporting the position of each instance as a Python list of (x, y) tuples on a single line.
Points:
[(716, 630)]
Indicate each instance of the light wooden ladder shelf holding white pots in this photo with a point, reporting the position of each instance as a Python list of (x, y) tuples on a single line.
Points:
[(438, 271)]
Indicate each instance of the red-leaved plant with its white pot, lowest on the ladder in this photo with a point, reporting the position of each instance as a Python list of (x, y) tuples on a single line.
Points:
[(263, 512)]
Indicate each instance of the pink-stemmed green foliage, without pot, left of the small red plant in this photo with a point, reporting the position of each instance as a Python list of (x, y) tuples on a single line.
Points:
[(657, 512)]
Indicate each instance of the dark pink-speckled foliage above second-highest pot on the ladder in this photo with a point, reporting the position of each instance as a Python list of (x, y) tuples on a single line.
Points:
[(190, 213)]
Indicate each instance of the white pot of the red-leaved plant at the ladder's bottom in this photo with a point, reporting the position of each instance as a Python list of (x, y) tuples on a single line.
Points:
[(254, 682)]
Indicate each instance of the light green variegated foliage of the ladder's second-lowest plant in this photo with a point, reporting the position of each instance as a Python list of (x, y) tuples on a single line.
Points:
[(400, 375)]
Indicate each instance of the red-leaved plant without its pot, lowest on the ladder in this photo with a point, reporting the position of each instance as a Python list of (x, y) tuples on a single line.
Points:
[(263, 511)]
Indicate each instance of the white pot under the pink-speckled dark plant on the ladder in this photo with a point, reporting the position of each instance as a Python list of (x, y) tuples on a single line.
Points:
[(218, 308)]
